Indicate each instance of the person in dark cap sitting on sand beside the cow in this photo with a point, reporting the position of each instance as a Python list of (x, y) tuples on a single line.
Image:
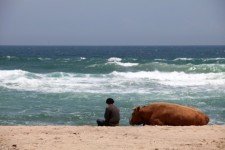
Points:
[(112, 115)]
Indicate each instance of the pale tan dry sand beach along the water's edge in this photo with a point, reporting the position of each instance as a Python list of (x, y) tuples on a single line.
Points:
[(112, 138)]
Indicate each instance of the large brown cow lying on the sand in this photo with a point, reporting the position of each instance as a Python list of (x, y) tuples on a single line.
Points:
[(168, 114)]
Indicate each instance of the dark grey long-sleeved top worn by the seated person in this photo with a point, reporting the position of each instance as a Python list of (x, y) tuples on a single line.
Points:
[(112, 114)]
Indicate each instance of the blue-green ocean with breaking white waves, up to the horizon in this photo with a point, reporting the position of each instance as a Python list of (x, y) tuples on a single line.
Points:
[(68, 85)]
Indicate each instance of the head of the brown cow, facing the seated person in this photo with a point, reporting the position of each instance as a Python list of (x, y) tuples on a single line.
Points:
[(136, 118)]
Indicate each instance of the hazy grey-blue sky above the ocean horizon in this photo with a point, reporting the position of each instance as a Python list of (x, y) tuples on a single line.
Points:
[(112, 22)]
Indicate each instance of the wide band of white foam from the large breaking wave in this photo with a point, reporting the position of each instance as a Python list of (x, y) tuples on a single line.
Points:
[(115, 82)]
